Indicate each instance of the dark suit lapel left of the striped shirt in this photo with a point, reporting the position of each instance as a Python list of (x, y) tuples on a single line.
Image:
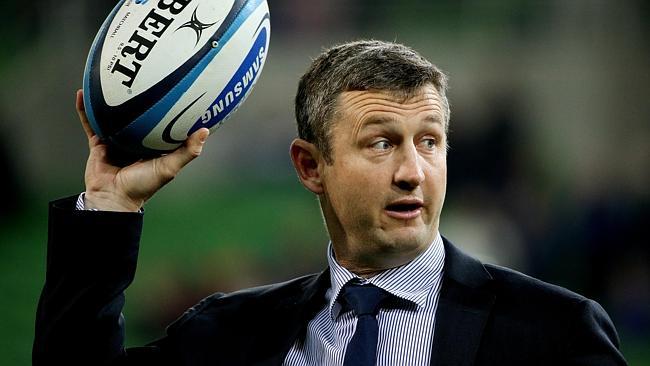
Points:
[(293, 314)]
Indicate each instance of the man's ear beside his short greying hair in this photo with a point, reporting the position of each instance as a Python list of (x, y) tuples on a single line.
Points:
[(306, 160)]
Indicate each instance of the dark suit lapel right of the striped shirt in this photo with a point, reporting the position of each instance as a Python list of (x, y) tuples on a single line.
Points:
[(463, 309)]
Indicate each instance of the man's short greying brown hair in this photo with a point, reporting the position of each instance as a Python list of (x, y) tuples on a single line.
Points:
[(359, 65)]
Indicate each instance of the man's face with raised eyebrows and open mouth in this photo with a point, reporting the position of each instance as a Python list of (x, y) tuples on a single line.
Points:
[(385, 187)]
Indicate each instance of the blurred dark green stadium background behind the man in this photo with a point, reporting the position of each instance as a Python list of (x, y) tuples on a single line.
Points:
[(549, 165)]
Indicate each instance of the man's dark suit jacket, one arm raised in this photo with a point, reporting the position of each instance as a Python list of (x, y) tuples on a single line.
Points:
[(487, 315)]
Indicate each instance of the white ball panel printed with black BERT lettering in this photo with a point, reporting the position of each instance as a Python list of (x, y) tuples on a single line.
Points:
[(145, 43)]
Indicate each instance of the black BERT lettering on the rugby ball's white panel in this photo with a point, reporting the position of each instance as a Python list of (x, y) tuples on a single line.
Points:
[(144, 39)]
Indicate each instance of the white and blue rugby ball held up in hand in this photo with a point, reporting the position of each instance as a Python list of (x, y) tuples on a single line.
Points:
[(158, 70)]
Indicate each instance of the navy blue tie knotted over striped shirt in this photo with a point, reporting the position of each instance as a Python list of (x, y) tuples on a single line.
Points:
[(365, 300)]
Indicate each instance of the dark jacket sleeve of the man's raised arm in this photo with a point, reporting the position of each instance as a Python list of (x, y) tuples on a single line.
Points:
[(91, 260)]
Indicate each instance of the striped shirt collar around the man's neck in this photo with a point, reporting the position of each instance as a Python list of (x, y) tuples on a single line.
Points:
[(412, 281)]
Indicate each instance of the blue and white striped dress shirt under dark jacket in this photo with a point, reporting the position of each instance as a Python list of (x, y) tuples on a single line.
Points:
[(405, 332)]
